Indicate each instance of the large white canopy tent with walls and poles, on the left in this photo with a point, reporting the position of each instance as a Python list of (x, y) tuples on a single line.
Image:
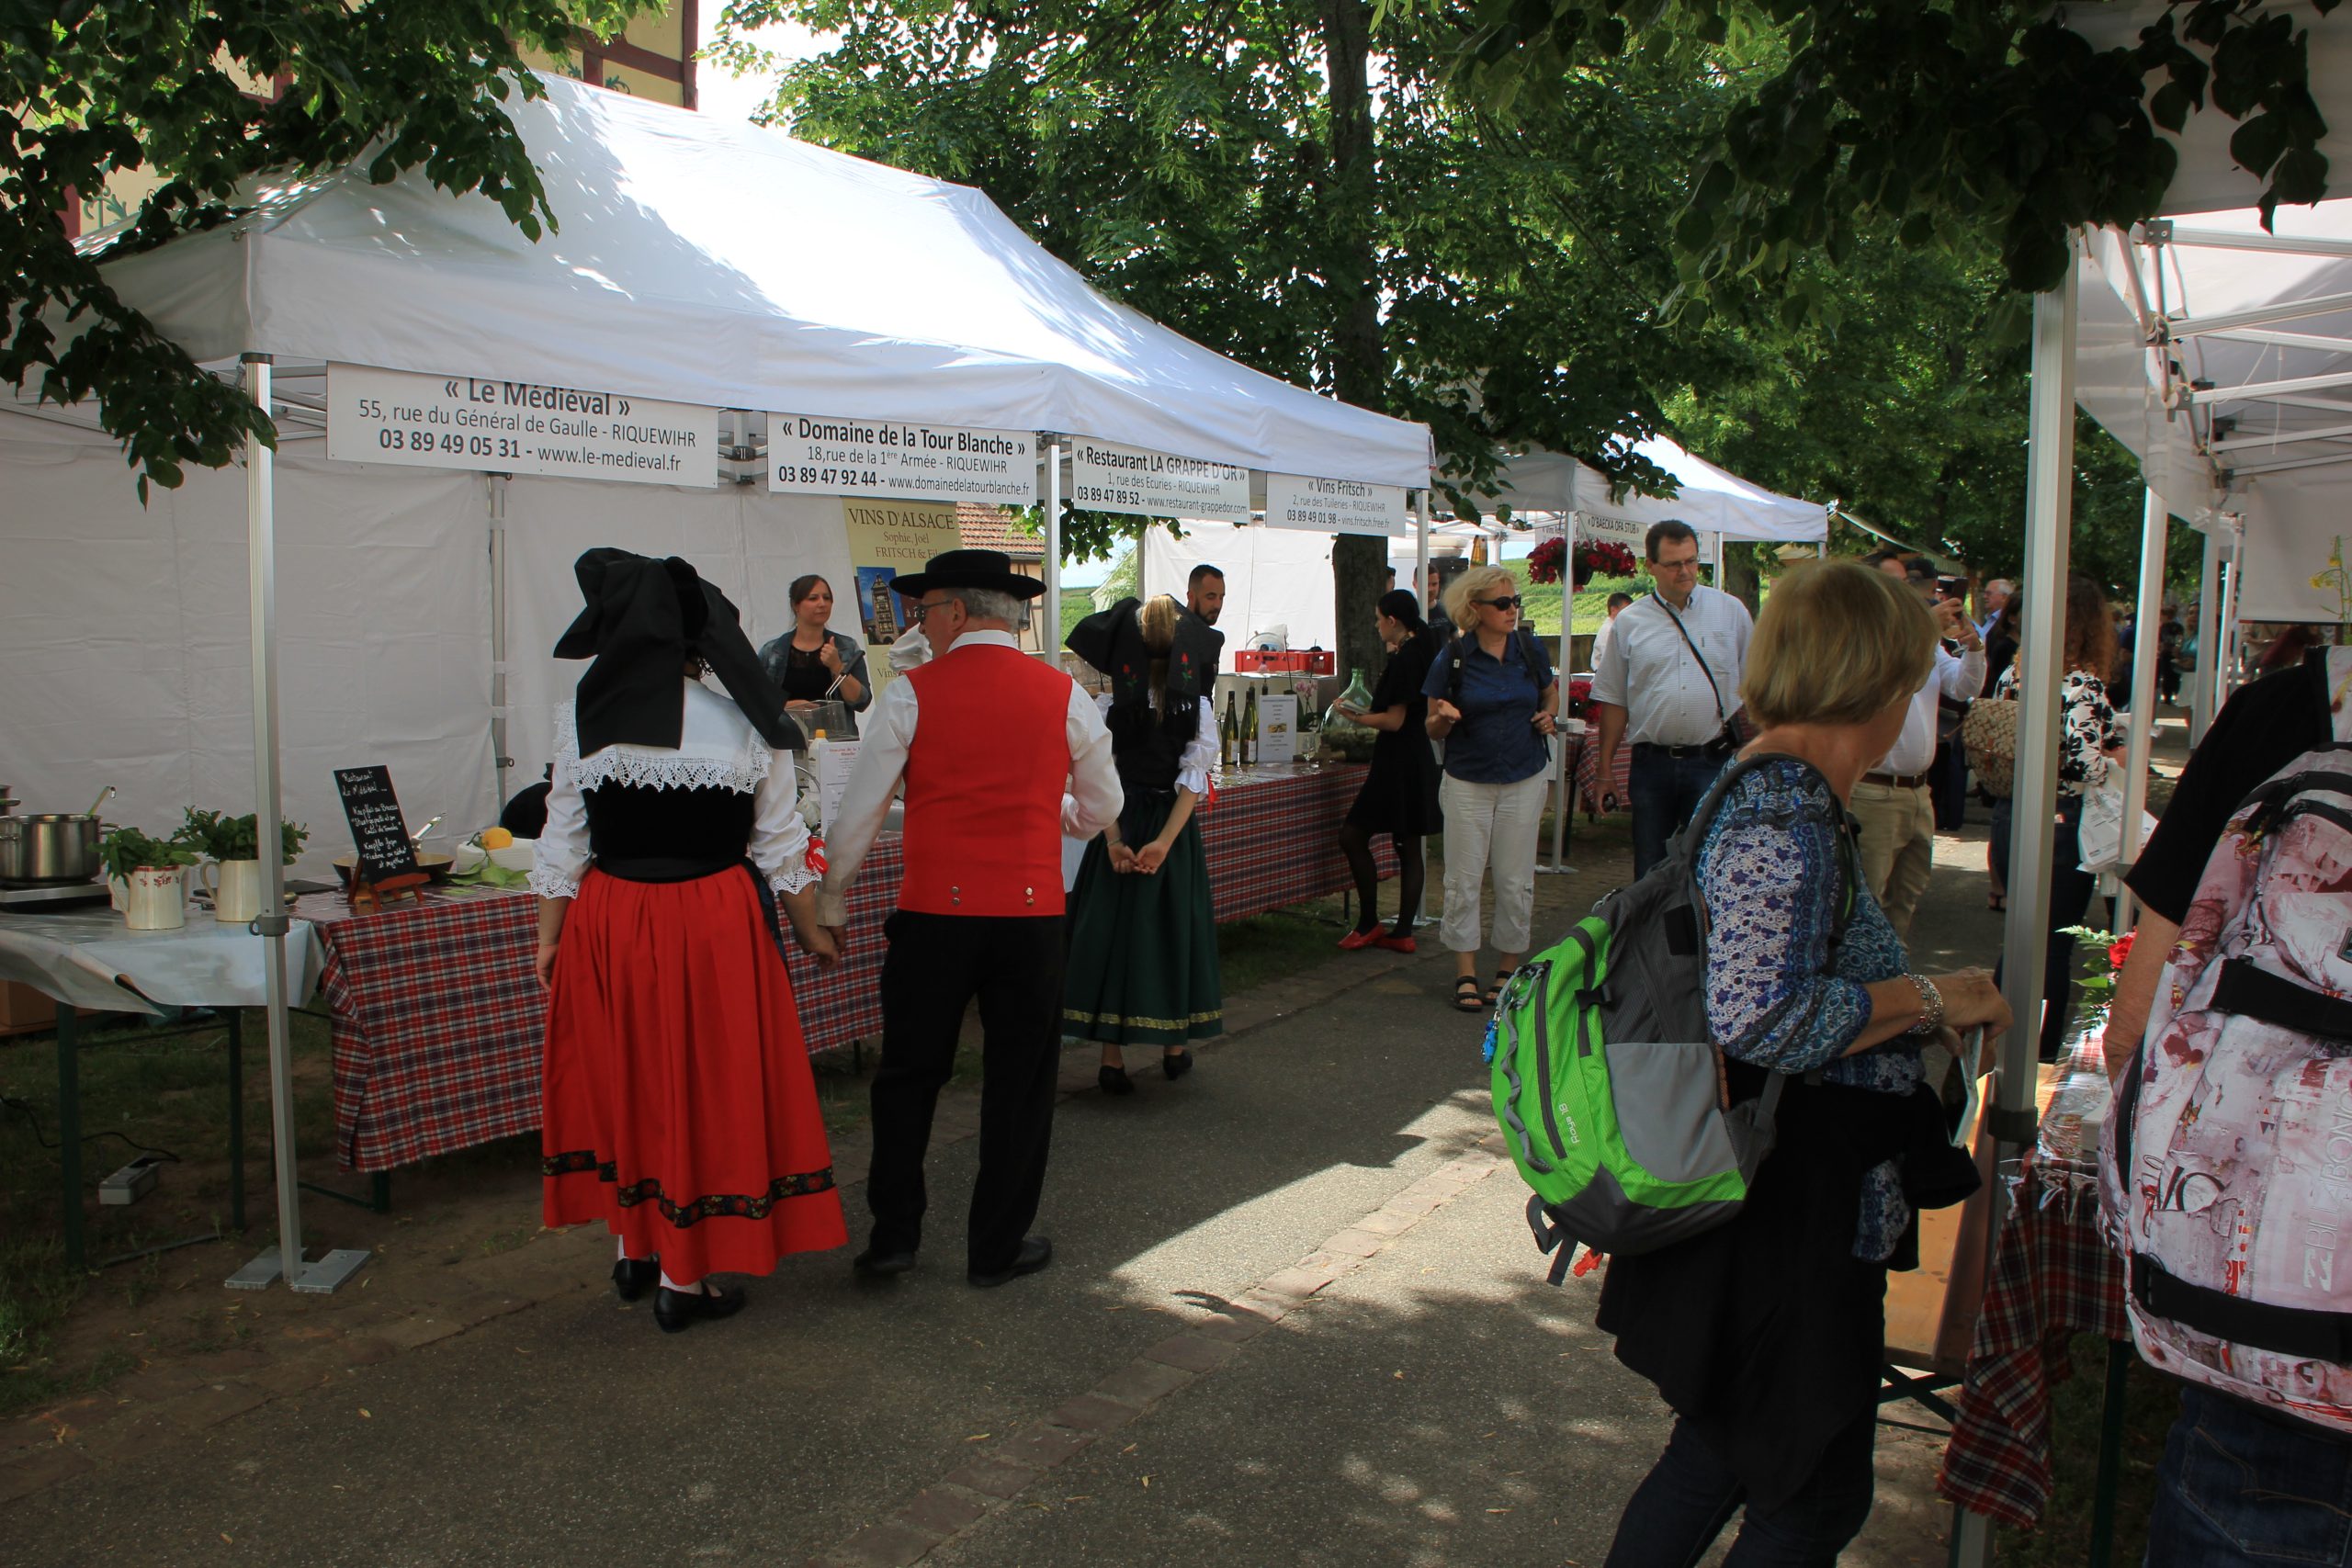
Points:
[(702, 264)]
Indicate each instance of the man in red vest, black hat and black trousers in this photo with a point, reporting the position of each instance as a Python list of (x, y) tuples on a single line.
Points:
[(984, 742)]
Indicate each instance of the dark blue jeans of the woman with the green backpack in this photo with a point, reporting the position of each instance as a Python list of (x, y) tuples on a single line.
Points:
[(1690, 1496)]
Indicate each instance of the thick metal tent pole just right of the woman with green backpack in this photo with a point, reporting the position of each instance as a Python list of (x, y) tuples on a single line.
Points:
[(2050, 495)]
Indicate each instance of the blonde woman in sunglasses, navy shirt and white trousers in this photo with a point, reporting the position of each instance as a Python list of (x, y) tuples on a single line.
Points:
[(1495, 702)]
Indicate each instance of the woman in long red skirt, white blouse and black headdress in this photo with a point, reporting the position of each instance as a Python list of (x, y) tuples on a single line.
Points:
[(679, 1097)]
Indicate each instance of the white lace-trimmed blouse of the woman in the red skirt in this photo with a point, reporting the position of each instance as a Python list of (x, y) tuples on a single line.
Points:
[(716, 751)]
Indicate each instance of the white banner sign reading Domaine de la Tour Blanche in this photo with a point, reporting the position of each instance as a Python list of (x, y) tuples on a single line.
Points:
[(883, 457)]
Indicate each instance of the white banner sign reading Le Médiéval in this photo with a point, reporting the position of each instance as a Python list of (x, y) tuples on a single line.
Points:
[(516, 427)]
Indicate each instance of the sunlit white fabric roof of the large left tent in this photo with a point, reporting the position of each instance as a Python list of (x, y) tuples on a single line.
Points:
[(730, 267)]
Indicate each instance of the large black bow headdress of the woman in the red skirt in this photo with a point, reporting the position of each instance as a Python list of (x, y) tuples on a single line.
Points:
[(641, 622)]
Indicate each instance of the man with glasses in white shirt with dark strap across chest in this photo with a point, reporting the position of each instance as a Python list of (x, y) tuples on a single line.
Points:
[(1669, 685)]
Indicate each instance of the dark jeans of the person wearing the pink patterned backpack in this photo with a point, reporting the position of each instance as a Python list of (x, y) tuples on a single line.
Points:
[(2245, 1487)]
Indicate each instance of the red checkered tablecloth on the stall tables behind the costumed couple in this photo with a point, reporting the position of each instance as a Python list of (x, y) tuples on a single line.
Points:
[(439, 1017)]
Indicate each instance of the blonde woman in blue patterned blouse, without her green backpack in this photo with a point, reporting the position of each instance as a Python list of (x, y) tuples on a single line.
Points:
[(1768, 1332)]
